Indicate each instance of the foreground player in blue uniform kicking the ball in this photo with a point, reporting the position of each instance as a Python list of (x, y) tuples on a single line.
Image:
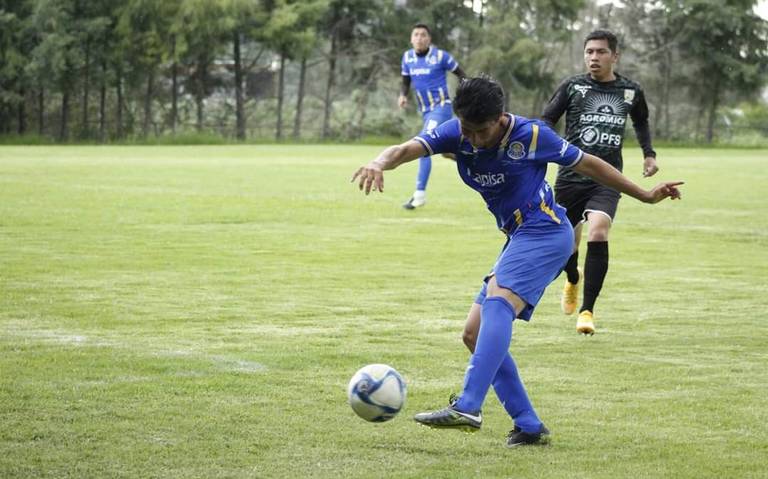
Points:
[(504, 158)]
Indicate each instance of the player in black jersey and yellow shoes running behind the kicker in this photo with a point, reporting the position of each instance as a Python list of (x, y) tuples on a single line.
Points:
[(596, 106)]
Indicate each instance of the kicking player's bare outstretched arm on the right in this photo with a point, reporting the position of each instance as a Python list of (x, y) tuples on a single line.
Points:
[(606, 174)]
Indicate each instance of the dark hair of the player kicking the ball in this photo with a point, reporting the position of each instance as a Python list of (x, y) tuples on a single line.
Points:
[(478, 100)]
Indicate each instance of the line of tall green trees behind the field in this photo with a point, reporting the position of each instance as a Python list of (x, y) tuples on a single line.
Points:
[(105, 70)]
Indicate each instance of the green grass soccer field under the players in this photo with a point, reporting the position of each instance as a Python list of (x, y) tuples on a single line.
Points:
[(197, 312)]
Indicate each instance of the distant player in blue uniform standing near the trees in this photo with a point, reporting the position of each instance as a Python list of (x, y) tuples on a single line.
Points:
[(424, 66)]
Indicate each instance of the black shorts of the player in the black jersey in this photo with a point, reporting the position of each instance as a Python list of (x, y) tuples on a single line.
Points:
[(582, 198)]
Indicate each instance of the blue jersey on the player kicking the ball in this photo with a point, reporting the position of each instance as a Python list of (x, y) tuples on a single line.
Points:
[(511, 176)]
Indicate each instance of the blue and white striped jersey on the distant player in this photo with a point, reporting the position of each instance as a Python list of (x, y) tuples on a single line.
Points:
[(428, 76)]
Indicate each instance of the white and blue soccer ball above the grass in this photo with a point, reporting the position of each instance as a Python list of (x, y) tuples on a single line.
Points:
[(376, 392)]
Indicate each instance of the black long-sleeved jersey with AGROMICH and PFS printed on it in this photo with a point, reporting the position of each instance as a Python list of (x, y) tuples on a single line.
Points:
[(596, 116)]
